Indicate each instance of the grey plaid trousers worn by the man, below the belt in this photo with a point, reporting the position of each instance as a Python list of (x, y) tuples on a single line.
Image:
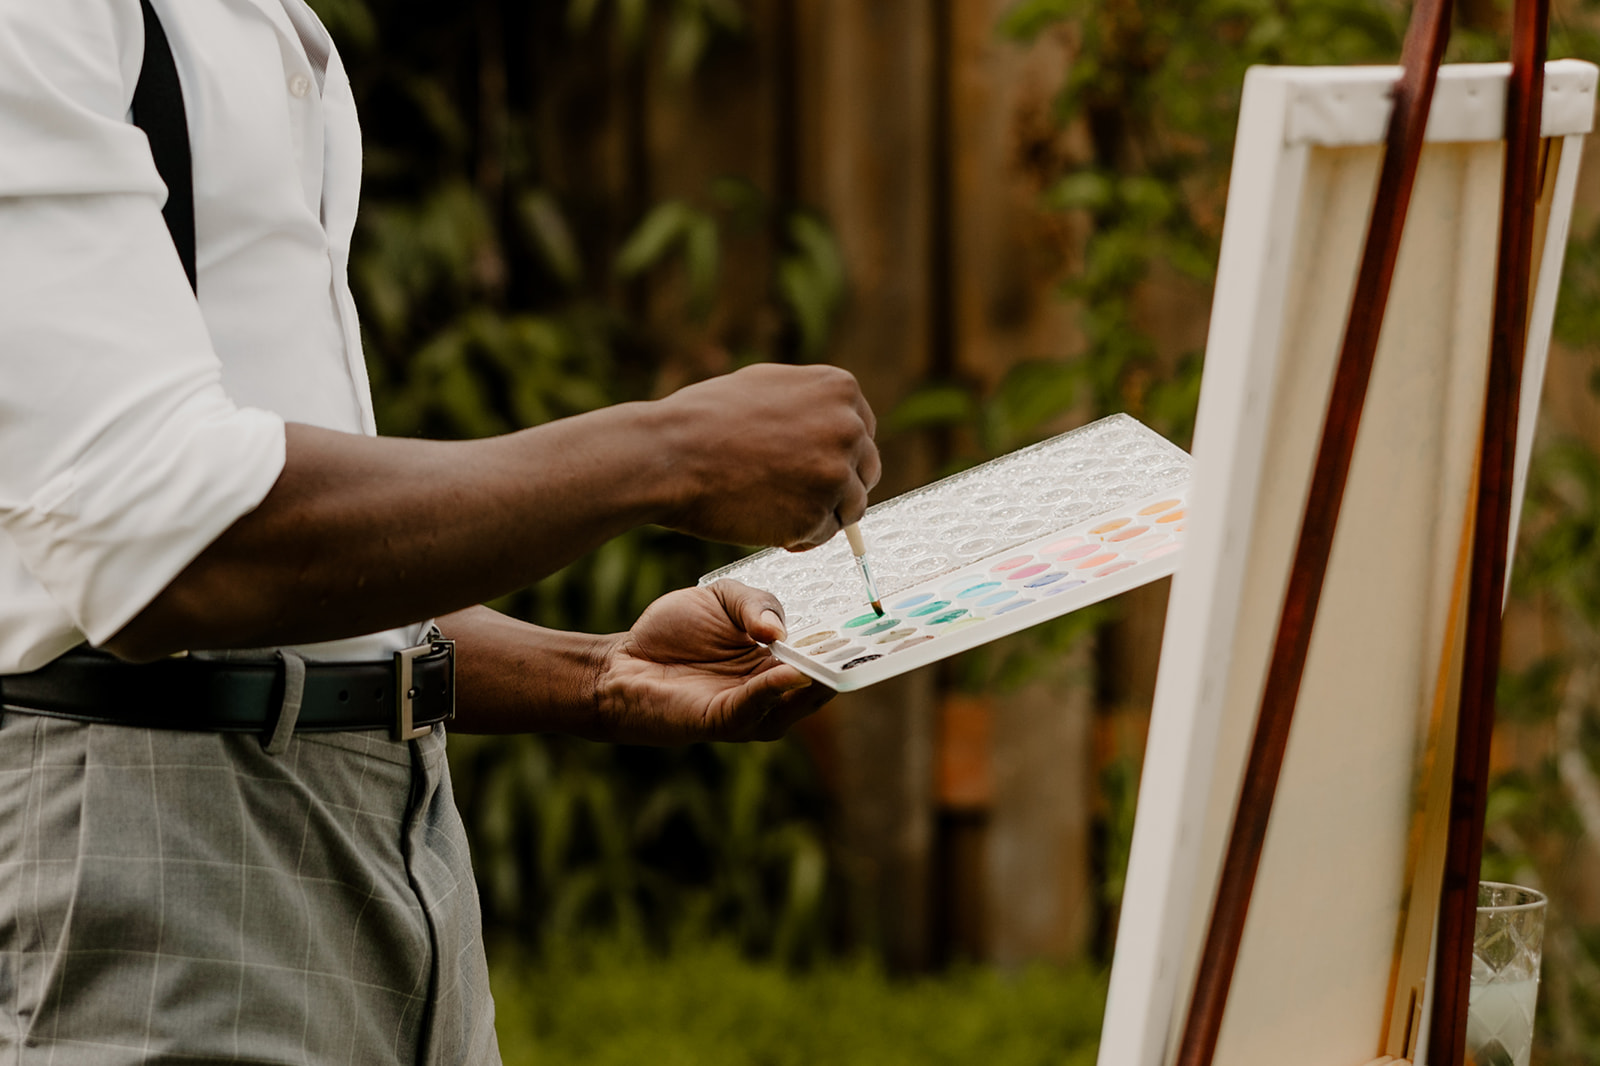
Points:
[(186, 897)]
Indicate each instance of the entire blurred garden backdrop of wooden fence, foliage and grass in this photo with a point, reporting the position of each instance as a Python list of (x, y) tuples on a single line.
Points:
[(1004, 217)]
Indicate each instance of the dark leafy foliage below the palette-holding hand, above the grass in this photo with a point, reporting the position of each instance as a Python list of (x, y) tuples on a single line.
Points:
[(713, 841)]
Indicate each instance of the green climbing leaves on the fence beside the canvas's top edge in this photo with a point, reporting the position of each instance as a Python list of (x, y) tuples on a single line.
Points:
[(1154, 89)]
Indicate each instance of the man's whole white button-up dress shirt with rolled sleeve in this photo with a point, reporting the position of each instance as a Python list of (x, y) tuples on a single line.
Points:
[(135, 423)]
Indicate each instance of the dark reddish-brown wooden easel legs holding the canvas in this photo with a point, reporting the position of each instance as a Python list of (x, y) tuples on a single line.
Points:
[(1478, 652)]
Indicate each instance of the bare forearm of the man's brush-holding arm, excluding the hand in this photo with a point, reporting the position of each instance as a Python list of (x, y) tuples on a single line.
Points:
[(362, 534)]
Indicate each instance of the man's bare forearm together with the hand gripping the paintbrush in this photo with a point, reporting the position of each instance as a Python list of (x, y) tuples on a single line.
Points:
[(362, 535)]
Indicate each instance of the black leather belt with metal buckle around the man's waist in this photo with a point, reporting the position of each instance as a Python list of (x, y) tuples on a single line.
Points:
[(406, 695)]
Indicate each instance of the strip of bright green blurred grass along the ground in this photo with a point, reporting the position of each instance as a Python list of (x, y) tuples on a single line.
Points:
[(706, 1006)]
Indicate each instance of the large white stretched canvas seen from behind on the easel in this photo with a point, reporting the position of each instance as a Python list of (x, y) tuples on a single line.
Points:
[(1318, 961)]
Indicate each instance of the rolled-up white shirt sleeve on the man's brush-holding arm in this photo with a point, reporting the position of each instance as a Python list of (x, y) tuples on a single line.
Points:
[(121, 455)]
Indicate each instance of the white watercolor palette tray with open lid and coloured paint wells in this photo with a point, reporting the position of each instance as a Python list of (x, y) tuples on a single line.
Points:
[(983, 555)]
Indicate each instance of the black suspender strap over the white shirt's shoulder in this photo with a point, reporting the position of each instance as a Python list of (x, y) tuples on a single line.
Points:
[(159, 111)]
